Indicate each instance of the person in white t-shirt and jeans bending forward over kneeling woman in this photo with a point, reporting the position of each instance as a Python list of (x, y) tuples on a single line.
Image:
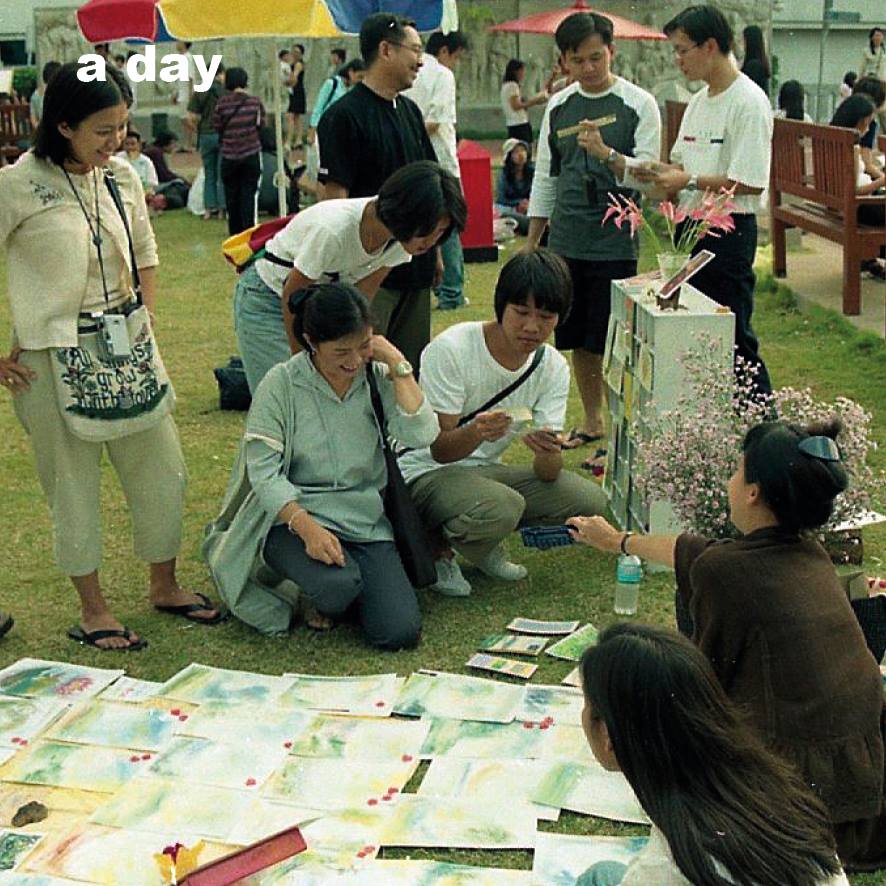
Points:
[(355, 240)]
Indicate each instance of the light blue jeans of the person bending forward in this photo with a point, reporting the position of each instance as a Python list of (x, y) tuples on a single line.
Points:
[(258, 322)]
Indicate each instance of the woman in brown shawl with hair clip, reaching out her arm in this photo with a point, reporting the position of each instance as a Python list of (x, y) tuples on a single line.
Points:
[(772, 618)]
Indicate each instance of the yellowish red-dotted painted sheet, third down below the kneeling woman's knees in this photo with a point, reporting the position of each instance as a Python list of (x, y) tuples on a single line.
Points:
[(340, 784)]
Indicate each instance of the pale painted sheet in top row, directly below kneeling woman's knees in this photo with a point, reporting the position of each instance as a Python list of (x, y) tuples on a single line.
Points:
[(370, 695)]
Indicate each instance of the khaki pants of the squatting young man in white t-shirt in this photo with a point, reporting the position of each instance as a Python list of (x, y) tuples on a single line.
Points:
[(476, 507)]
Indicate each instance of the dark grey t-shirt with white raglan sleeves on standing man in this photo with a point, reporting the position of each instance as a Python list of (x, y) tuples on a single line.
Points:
[(571, 187)]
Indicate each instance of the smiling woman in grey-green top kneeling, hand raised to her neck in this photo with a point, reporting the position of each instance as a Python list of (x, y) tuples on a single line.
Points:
[(306, 491)]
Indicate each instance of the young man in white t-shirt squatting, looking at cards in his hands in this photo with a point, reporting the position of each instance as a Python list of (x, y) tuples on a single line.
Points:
[(459, 484)]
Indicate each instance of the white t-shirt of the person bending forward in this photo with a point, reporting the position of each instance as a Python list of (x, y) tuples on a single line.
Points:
[(323, 242)]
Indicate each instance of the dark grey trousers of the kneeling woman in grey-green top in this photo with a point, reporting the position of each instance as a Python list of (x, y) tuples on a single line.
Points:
[(372, 578)]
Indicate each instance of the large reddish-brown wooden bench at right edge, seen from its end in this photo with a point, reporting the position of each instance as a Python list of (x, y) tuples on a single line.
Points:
[(826, 204)]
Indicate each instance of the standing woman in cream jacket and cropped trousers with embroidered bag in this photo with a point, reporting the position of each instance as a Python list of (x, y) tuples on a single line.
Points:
[(72, 217)]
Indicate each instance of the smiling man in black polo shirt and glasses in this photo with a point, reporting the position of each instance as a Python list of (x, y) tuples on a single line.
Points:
[(364, 137)]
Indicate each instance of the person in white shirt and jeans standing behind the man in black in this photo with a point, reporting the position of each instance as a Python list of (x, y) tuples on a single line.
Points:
[(434, 93)]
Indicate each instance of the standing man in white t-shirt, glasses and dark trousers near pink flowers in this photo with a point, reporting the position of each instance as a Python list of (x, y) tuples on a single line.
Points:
[(724, 141)]
